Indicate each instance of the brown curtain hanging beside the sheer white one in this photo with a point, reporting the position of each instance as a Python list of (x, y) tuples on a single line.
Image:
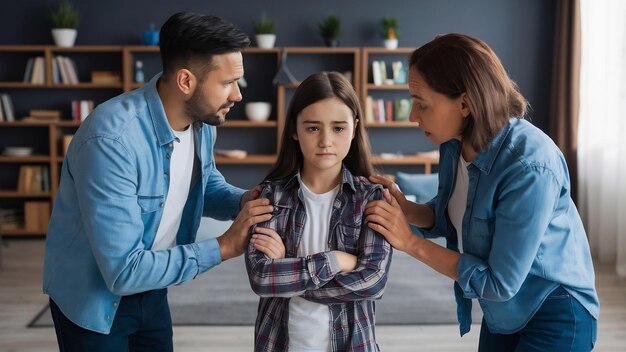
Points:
[(565, 85)]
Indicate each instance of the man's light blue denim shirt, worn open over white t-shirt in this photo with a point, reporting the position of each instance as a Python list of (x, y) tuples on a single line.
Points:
[(113, 185)]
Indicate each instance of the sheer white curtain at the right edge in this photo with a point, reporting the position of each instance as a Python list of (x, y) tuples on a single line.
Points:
[(602, 129)]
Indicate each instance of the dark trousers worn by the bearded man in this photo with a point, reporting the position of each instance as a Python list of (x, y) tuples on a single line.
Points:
[(142, 323)]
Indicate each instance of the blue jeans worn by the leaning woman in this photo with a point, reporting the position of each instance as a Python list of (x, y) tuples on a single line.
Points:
[(560, 324)]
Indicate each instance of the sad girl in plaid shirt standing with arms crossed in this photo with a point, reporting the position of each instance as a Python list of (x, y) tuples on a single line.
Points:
[(316, 265)]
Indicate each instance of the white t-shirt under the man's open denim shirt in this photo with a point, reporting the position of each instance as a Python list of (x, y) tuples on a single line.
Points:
[(181, 168)]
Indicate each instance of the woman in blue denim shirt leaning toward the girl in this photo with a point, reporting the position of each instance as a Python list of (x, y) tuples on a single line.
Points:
[(515, 240)]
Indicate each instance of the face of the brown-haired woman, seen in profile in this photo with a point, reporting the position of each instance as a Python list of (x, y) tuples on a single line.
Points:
[(440, 117)]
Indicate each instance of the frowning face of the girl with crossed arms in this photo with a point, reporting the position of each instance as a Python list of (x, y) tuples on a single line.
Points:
[(325, 131)]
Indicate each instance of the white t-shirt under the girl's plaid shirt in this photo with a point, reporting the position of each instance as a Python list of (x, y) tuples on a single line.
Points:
[(309, 322)]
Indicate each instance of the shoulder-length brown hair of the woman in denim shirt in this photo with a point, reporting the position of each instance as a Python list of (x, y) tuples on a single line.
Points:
[(453, 64)]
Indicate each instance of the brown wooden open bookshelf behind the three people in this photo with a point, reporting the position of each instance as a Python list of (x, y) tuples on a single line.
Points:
[(260, 140)]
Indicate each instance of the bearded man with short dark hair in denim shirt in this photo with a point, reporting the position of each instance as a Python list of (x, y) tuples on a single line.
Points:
[(136, 180)]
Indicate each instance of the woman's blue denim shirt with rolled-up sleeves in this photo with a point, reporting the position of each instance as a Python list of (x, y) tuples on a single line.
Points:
[(522, 235)]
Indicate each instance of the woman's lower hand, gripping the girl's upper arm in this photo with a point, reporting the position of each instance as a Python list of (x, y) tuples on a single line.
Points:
[(389, 221)]
